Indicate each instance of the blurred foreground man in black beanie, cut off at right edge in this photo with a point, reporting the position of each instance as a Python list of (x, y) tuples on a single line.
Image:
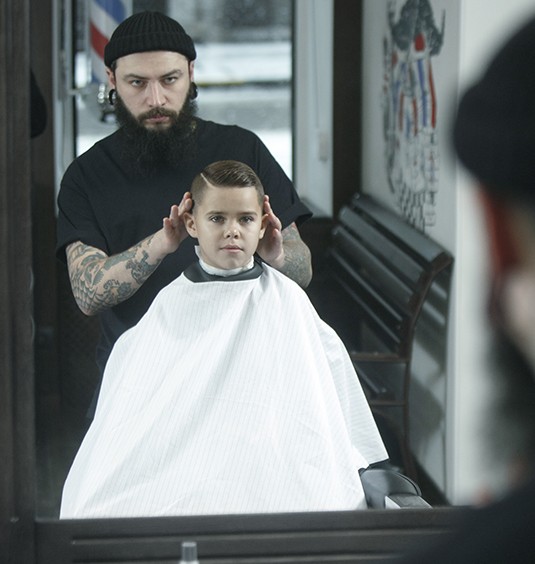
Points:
[(494, 137)]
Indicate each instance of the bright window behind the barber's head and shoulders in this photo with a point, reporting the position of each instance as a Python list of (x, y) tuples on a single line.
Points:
[(243, 67)]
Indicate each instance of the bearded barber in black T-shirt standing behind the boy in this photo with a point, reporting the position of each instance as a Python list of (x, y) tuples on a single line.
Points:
[(113, 198)]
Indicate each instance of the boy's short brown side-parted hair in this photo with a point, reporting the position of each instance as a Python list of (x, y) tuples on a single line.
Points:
[(226, 174)]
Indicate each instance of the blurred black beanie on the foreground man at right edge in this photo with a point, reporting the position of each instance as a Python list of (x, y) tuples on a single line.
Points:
[(494, 130)]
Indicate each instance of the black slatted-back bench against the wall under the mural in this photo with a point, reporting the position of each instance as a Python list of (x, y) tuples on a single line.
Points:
[(378, 275)]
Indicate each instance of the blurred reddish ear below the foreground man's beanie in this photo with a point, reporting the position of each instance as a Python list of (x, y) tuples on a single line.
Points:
[(501, 229)]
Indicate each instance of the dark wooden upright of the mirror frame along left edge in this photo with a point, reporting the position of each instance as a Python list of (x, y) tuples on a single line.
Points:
[(17, 468)]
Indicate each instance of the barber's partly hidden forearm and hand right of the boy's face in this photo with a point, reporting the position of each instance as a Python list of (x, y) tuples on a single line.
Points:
[(284, 249)]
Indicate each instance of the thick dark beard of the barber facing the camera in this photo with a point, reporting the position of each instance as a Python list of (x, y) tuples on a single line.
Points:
[(149, 149)]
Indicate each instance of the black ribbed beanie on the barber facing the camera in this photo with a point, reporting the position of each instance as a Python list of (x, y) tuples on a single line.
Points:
[(148, 31)]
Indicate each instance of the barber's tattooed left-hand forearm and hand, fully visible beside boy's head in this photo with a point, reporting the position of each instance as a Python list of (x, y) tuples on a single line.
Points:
[(100, 281)]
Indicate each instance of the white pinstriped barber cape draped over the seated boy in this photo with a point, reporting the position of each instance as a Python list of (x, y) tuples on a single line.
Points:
[(228, 396)]
